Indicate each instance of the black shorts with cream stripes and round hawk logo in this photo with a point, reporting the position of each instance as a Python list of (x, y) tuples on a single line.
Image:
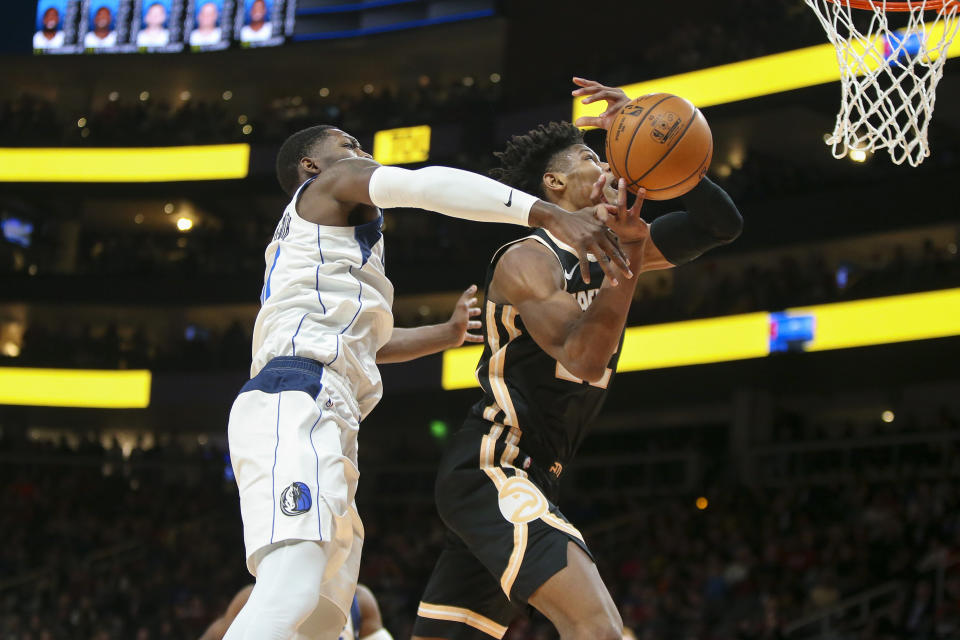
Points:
[(505, 538)]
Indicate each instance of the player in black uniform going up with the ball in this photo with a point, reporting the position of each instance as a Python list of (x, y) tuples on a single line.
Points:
[(551, 347)]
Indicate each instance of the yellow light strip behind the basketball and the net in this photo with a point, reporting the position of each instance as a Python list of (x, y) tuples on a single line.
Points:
[(746, 79)]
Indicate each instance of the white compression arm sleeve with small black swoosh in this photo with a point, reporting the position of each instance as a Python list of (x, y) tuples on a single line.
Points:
[(452, 192)]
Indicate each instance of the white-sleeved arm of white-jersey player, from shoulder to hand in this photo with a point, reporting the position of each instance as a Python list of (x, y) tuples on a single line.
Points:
[(470, 196)]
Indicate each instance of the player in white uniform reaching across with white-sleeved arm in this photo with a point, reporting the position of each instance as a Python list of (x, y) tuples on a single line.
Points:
[(324, 325)]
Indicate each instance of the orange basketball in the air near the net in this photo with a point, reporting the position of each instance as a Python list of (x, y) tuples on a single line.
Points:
[(660, 142)]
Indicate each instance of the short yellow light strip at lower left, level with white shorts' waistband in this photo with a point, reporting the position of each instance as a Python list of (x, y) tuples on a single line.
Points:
[(87, 388)]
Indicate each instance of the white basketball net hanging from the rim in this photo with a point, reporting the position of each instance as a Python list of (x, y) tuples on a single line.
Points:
[(889, 75)]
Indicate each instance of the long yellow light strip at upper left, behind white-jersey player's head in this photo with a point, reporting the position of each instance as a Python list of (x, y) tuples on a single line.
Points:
[(143, 164)]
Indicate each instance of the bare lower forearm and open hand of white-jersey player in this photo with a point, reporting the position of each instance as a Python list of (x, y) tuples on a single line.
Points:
[(410, 344)]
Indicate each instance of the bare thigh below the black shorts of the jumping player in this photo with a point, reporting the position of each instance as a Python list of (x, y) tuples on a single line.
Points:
[(575, 594)]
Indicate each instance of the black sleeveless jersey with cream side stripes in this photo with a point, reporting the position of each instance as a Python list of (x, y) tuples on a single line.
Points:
[(527, 389)]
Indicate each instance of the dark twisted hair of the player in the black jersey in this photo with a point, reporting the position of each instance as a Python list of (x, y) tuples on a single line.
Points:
[(528, 157)]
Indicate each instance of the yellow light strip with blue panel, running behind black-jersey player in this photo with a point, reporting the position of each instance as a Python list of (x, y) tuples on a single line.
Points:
[(840, 325)]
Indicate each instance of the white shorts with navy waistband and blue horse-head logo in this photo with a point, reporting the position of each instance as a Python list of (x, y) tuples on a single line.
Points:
[(293, 446)]
